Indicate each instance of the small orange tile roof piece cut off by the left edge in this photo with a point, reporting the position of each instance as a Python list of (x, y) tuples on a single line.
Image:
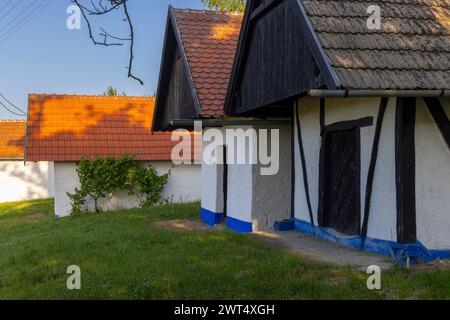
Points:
[(12, 142)]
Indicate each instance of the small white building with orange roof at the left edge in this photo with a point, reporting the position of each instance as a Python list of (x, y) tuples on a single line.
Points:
[(20, 181)]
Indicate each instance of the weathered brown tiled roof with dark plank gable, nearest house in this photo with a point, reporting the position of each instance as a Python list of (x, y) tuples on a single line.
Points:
[(411, 51)]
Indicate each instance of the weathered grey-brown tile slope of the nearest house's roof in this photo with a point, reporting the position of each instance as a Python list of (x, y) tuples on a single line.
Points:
[(410, 51)]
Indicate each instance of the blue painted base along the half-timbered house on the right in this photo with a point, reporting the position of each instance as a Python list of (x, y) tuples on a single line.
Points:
[(417, 252)]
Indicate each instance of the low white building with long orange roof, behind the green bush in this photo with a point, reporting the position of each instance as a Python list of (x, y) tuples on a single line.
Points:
[(65, 128)]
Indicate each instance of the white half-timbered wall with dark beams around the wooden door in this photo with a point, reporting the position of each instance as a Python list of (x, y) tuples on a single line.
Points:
[(432, 167)]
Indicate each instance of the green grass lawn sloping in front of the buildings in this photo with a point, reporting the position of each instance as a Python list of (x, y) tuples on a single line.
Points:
[(122, 257)]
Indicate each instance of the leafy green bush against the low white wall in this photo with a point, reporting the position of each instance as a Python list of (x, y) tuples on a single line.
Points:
[(104, 176)]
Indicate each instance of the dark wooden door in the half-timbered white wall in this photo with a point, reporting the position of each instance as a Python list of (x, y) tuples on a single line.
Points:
[(341, 182)]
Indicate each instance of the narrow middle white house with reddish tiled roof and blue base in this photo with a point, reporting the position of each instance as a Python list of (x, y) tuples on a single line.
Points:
[(197, 60)]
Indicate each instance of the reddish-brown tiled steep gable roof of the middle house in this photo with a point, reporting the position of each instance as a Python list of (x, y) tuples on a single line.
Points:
[(207, 43)]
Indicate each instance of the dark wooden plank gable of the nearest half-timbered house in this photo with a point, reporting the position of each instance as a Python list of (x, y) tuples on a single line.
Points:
[(278, 57)]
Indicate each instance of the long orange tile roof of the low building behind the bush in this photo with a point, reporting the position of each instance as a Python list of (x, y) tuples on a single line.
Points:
[(67, 128)]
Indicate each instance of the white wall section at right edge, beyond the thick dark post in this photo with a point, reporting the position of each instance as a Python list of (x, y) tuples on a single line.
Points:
[(432, 180)]
